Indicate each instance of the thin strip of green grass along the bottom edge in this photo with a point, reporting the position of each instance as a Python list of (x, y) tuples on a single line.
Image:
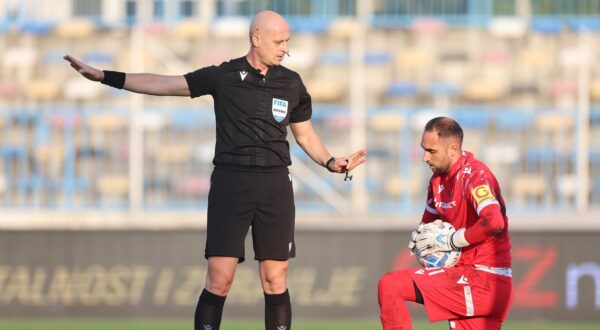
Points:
[(257, 325)]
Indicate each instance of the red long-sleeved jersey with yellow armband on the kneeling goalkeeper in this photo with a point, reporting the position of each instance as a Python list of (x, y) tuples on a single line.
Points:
[(459, 197)]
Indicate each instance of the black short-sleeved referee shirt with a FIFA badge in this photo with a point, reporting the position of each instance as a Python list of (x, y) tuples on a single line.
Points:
[(252, 111)]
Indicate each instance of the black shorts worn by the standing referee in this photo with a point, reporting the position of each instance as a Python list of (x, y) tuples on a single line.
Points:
[(240, 198)]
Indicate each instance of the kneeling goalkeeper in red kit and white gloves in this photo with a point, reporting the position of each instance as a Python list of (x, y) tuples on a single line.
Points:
[(477, 292)]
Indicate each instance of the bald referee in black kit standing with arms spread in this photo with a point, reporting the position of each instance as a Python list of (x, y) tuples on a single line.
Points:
[(255, 99)]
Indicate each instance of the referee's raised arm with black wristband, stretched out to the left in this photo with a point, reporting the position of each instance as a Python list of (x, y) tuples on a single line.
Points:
[(144, 83)]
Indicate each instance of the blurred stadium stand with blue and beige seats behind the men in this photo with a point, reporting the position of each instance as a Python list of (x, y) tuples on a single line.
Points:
[(521, 77)]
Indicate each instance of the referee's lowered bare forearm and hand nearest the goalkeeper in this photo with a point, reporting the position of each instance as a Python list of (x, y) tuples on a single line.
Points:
[(310, 142)]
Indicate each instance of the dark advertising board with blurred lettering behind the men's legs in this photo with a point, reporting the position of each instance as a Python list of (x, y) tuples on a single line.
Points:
[(149, 273)]
